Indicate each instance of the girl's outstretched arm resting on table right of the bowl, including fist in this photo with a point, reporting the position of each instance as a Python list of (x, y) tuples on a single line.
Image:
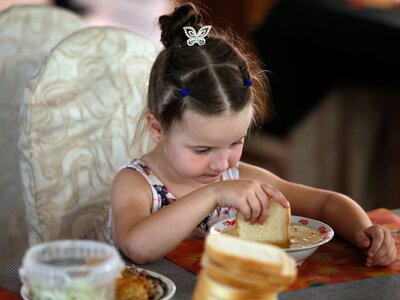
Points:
[(342, 213)]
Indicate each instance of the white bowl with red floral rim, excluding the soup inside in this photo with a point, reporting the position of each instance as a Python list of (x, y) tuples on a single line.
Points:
[(298, 253)]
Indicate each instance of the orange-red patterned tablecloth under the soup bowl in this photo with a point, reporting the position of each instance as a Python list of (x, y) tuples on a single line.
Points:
[(335, 262)]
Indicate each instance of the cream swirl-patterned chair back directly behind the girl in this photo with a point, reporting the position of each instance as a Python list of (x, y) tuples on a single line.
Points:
[(76, 130)]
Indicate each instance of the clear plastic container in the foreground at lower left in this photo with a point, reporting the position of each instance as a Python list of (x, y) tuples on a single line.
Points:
[(71, 269)]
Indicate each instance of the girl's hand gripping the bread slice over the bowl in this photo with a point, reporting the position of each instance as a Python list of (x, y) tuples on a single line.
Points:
[(250, 197)]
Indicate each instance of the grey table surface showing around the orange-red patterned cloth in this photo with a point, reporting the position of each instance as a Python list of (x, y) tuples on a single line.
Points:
[(383, 287)]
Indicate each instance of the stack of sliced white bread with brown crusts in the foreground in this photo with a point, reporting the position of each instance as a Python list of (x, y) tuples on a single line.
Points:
[(233, 268)]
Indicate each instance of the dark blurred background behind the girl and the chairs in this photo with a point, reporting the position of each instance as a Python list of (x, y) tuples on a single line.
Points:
[(333, 67)]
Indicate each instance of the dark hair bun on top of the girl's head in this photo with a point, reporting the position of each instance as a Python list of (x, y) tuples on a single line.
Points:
[(172, 25)]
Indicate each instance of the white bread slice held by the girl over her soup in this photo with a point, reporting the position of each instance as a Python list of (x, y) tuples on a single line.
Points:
[(275, 230)]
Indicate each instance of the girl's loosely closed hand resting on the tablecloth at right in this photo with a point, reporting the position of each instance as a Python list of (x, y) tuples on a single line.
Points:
[(378, 244)]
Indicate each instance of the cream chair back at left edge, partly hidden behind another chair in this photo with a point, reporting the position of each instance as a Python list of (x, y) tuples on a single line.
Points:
[(27, 34)]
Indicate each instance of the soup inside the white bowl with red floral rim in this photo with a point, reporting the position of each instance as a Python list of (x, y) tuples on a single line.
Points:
[(300, 235)]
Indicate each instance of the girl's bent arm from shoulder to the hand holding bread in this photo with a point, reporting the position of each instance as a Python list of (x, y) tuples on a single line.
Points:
[(144, 237)]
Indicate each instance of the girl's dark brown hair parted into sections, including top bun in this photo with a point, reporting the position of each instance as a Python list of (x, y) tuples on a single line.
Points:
[(214, 73)]
